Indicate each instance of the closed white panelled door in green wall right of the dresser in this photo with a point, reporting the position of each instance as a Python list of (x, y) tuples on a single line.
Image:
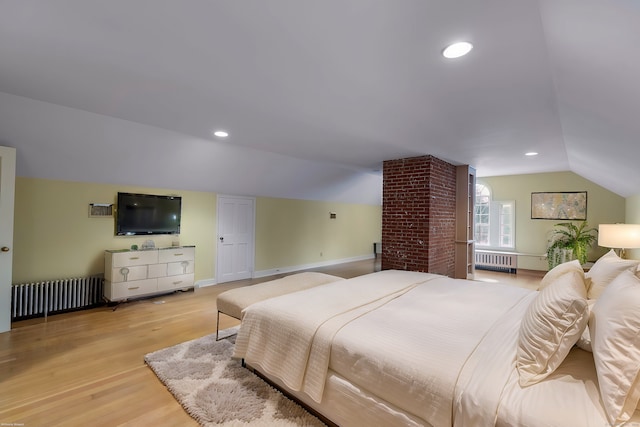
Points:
[(236, 223)]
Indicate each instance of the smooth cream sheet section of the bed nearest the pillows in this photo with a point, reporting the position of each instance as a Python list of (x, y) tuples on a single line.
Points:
[(488, 393)]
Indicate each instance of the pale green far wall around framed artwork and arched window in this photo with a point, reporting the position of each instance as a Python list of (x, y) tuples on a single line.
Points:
[(532, 235)]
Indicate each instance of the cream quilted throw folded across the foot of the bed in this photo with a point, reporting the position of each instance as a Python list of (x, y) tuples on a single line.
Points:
[(278, 335)]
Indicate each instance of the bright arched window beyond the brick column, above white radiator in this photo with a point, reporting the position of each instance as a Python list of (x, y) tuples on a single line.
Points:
[(494, 221)]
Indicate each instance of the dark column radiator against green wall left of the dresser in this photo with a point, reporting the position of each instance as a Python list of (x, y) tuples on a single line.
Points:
[(55, 296)]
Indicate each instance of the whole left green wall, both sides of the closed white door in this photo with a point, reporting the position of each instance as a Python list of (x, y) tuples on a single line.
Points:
[(54, 237)]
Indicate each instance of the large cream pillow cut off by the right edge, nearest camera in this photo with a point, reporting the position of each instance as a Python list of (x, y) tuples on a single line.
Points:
[(614, 327)]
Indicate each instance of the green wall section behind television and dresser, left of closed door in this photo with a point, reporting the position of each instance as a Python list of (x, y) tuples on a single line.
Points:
[(54, 237)]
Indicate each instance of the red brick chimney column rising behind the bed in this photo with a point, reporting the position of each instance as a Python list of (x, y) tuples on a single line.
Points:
[(418, 215)]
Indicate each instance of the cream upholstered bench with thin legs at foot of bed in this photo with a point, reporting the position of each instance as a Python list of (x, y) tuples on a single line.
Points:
[(233, 301)]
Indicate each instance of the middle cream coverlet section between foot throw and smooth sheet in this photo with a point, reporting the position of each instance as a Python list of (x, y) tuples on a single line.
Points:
[(411, 351)]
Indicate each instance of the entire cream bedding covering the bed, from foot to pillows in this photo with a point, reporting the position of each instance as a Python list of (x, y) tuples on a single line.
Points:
[(414, 349)]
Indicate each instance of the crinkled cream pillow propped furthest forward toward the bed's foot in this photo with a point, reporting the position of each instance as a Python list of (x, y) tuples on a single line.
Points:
[(550, 327)]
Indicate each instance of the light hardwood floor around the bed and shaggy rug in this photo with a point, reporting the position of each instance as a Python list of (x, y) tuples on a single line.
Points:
[(86, 368)]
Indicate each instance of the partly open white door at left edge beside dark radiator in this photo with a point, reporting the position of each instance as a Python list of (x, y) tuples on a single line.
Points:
[(7, 192)]
